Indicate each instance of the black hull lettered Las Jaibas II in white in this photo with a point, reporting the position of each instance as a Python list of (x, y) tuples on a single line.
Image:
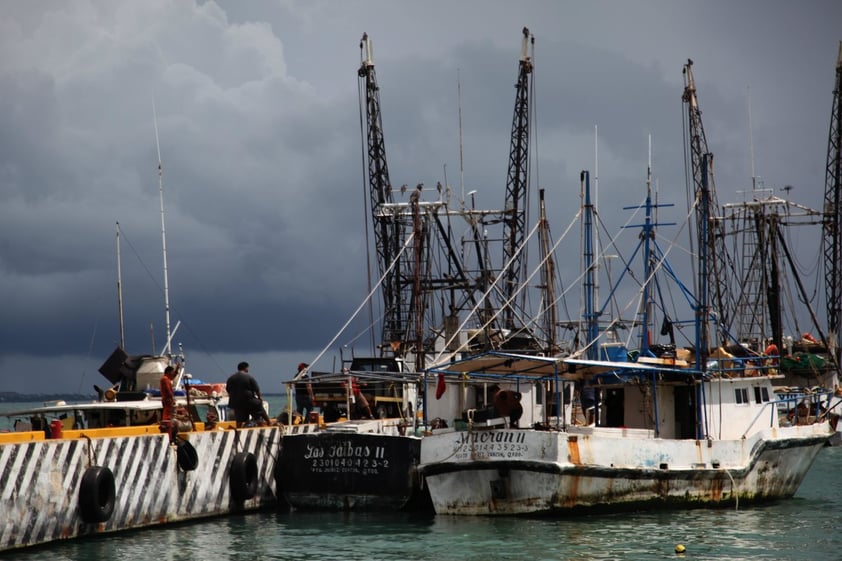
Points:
[(350, 471)]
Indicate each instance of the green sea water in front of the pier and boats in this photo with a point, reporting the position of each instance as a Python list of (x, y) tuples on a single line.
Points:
[(808, 526)]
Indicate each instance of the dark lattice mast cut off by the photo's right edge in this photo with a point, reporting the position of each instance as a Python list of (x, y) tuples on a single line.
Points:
[(833, 217)]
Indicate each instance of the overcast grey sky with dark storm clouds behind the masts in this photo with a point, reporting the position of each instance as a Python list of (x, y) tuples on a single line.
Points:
[(258, 119)]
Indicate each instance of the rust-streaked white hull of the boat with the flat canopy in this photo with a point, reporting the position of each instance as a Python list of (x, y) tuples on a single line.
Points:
[(512, 472)]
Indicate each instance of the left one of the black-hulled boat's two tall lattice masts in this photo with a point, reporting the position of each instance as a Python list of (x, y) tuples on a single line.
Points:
[(388, 228)]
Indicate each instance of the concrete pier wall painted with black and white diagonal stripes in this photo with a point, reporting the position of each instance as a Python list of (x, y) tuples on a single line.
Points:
[(43, 485)]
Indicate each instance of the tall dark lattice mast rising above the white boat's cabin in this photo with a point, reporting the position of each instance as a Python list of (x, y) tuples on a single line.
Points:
[(713, 259)]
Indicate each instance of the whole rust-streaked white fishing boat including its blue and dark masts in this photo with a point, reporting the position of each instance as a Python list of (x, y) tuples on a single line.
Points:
[(612, 429)]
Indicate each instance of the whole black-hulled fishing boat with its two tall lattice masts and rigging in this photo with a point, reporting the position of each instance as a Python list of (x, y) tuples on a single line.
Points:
[(435, 301)]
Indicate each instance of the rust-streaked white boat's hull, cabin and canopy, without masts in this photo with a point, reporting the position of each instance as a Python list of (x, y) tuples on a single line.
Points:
[(642, 450)]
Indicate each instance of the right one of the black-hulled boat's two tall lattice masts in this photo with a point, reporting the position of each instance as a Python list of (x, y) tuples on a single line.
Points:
[(515, 208)]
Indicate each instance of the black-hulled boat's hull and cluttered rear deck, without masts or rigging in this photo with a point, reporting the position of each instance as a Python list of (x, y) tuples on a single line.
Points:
[(360, 450)]
